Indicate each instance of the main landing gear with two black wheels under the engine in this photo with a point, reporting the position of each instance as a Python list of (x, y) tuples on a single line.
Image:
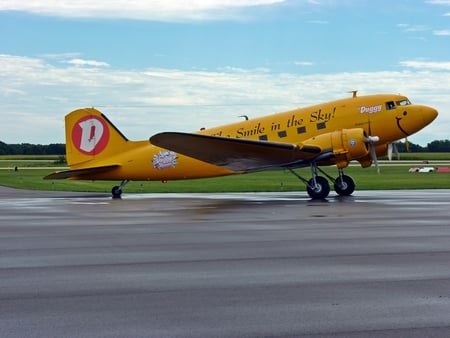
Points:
[(318, 186)]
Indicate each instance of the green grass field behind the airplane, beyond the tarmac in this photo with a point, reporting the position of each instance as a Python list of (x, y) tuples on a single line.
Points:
[(393, 175)]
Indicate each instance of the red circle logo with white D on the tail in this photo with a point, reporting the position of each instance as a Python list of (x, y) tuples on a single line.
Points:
[(90, 135)]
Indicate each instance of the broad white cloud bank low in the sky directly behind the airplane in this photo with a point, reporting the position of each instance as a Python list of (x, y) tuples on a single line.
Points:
[(35, 96)]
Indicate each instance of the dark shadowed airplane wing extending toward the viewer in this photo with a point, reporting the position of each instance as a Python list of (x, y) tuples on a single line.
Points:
[(233, 153)]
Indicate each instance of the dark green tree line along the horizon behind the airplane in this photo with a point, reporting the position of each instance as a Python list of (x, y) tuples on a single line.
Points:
[(442, 146)]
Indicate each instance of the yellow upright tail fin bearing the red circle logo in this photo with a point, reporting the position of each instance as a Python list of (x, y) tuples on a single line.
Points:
[(90, 135)]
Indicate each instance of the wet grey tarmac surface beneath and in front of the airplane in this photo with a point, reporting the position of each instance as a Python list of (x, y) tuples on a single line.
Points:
[(376, 264)]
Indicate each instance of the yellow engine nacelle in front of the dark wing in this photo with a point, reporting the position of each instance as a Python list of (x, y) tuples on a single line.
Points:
[(346, 145)]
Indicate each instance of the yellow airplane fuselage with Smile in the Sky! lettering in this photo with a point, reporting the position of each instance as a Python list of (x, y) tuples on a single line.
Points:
[(390, 117)]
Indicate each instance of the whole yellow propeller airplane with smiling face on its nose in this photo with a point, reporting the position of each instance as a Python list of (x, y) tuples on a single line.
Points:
[(358, 128)]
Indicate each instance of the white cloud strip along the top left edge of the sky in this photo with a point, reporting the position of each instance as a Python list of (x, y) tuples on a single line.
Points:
[(135, 9)]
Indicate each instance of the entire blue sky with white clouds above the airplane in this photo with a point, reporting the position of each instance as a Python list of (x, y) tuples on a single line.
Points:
[(157, 65)]
